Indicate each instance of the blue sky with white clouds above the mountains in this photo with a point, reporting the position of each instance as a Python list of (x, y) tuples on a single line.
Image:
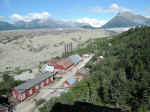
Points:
[(94, 12)]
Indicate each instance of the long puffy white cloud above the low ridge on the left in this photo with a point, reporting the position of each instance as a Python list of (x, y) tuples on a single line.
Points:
[(30, 16)]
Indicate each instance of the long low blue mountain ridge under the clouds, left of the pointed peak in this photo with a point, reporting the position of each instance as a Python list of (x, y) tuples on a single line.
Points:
[(39, 24)]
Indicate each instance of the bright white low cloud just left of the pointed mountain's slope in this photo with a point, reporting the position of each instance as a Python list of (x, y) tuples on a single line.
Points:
[(92, 21)]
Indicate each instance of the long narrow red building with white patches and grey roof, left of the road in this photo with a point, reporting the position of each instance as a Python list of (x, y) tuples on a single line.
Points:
[(27, 89)]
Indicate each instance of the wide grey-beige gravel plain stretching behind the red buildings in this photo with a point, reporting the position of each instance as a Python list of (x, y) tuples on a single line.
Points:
[(26, 48)]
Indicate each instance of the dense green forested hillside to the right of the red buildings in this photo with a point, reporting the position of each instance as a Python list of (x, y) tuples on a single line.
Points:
[(120, 80)]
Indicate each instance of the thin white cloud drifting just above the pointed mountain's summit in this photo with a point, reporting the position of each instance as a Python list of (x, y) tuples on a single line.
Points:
[(113, 8)]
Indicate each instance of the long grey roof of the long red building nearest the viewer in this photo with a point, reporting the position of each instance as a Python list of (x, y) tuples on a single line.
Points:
[(29, 84)]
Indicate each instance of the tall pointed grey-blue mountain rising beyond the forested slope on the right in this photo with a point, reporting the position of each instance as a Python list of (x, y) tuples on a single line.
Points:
[(127, 19)]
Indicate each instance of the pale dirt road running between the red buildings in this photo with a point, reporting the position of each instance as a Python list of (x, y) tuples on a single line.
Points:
[(46, 93)]
